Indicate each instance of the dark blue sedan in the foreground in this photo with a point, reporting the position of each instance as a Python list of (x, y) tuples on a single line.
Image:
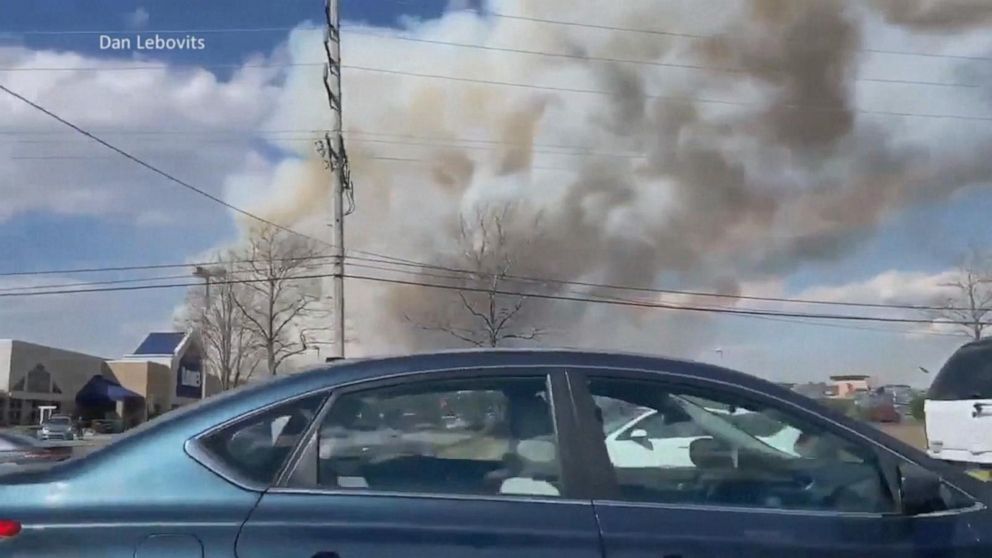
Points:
[(553, 453)]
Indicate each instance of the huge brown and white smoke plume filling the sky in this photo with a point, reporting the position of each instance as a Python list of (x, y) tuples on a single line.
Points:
[(737, 154)]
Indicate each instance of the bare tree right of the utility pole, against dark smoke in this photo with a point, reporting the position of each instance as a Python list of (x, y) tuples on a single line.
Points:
[(484, 315)]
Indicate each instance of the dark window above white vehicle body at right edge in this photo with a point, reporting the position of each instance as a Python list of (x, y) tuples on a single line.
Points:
[(966, 375)]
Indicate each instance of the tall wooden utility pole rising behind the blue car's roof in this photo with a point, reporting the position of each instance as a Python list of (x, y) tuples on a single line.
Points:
[(331, 147)]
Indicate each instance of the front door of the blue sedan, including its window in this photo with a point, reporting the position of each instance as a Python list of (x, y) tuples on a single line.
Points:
[(833, 495)]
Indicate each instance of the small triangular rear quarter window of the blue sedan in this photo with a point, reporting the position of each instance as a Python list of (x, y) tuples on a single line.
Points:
[(257, 446)]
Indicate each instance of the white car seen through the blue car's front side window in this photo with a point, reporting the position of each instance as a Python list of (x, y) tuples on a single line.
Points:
[(647, 441)]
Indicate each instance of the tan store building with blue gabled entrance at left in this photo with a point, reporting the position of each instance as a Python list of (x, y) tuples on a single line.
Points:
[(164, 372)]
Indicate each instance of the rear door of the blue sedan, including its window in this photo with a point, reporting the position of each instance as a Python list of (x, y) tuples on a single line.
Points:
[(387, 472)]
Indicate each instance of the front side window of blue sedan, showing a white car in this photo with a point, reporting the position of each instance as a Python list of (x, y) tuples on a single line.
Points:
[(733, 452)]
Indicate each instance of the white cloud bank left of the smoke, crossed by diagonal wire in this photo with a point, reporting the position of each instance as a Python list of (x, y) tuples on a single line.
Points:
[(188, 122)]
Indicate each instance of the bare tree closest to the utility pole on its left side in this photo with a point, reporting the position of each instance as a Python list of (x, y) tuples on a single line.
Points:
[(281, 293)]
